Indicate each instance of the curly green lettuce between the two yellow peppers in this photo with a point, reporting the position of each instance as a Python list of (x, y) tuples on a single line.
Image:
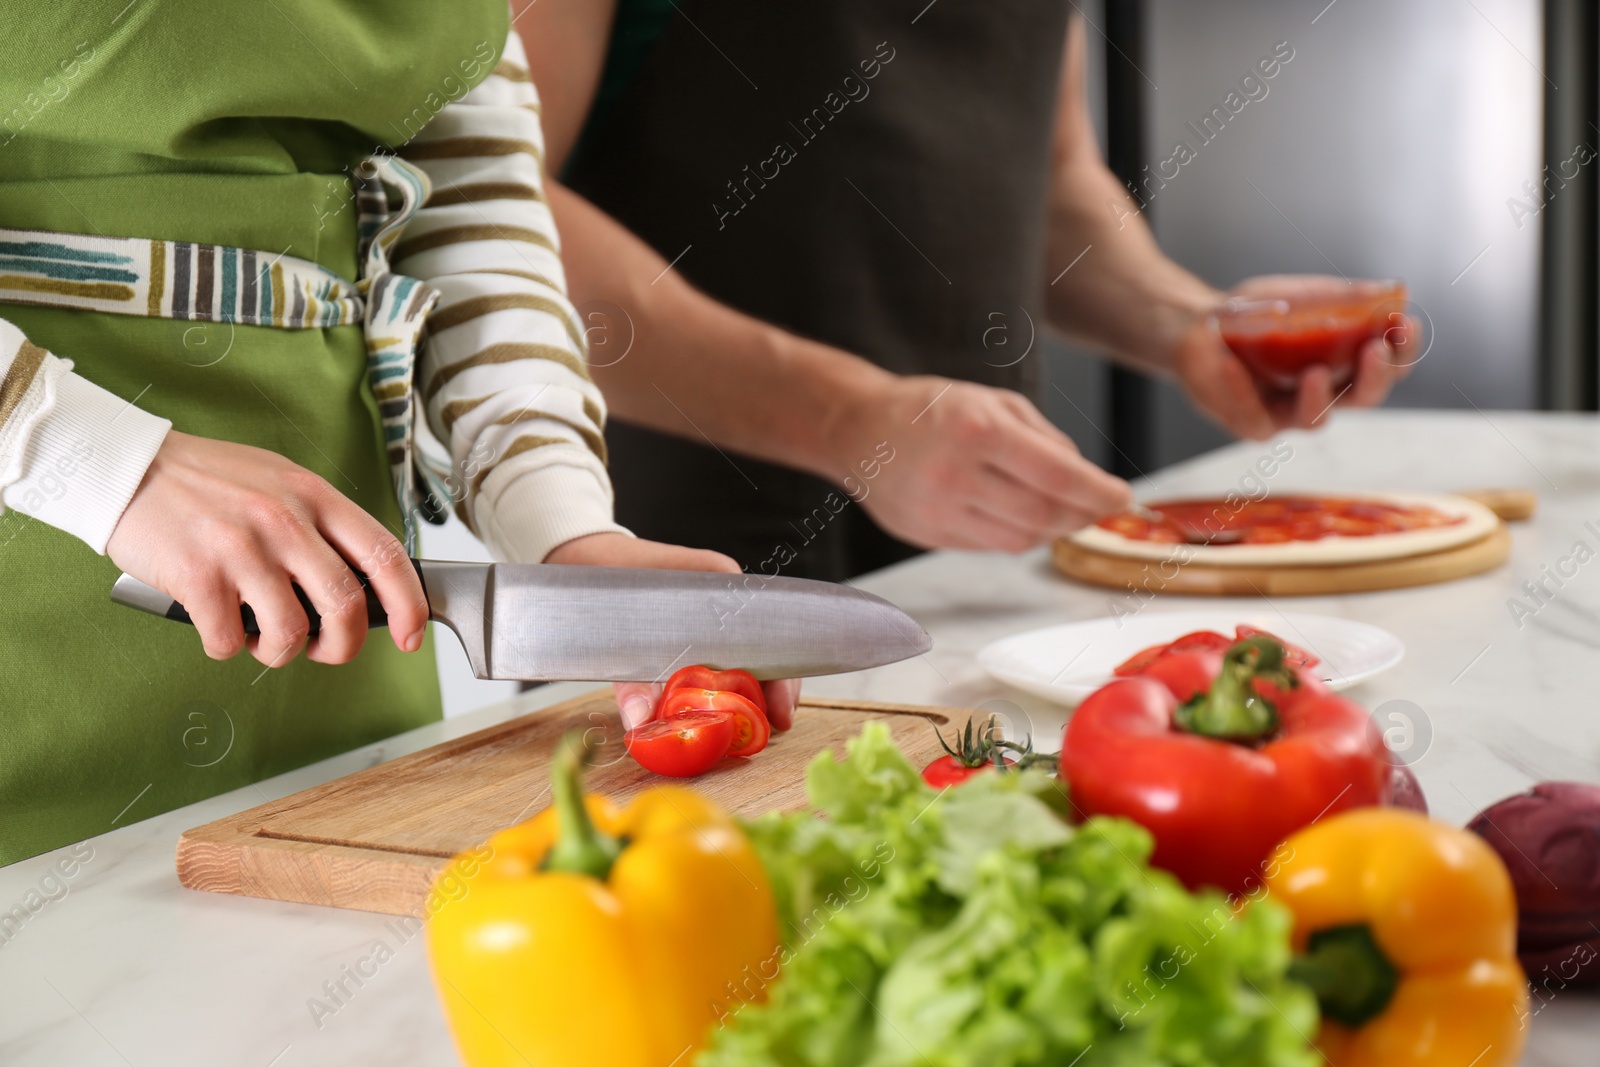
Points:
[(977, 929)]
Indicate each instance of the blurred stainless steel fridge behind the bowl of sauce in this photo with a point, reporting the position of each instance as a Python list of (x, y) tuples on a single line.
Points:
[(1390, 146)]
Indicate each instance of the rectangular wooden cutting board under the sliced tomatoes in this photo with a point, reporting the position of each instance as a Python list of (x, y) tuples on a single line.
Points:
[(377, 839)]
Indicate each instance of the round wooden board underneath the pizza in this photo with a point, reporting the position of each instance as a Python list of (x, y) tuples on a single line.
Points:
[(1210, 580)]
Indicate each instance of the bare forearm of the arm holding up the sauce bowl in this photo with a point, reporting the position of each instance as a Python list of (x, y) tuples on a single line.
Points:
[(1111, 284)]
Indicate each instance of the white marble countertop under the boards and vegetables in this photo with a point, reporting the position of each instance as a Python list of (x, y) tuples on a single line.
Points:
[(129, 969)]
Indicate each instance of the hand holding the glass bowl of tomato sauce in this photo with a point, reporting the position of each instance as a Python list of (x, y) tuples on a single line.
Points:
[(1226, 391)]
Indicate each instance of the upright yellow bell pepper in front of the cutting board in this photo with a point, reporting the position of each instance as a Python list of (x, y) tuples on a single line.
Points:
[(604, 935)]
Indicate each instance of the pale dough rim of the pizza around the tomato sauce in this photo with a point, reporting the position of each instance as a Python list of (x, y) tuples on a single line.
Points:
[(1476, 524)]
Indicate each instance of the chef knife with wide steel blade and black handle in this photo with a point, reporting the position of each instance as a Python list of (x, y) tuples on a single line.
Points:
[(545, 623)]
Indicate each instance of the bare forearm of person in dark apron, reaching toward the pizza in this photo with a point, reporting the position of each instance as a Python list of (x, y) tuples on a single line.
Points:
[(700, 369)]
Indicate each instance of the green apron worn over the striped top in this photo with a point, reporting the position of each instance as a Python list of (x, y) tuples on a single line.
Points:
[(234, 126)]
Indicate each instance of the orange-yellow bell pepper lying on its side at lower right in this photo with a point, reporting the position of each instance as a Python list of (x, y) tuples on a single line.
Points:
[(1407, 932)]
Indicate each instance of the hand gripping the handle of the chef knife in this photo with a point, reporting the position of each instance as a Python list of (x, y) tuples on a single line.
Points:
[(218, 526)]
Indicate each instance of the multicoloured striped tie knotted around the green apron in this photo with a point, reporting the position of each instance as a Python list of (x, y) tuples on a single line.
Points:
[(156, 279)]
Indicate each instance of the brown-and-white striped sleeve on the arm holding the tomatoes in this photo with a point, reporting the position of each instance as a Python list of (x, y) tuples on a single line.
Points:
[(503, 377)]
